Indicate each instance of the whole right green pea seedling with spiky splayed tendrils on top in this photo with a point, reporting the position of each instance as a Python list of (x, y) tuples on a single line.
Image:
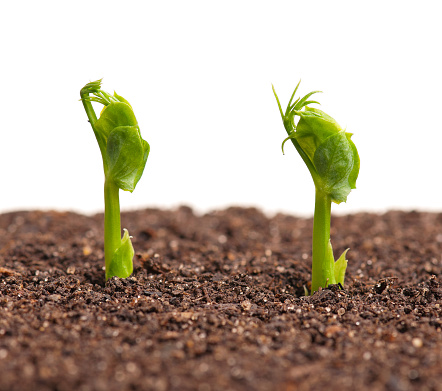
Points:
[(333, 162)]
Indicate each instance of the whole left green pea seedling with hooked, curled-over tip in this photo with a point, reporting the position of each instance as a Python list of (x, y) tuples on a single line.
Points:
[(124, 155)]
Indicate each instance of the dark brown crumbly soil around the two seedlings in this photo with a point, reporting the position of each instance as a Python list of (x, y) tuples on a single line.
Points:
[(216, 303)]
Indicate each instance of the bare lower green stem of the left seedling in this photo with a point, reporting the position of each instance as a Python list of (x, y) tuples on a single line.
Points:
[(112, 224)]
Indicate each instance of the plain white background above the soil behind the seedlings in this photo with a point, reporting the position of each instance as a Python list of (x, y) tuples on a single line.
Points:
[(199, 74)]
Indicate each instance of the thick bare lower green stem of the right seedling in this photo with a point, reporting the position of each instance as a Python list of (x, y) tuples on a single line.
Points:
[(323, 262)]
